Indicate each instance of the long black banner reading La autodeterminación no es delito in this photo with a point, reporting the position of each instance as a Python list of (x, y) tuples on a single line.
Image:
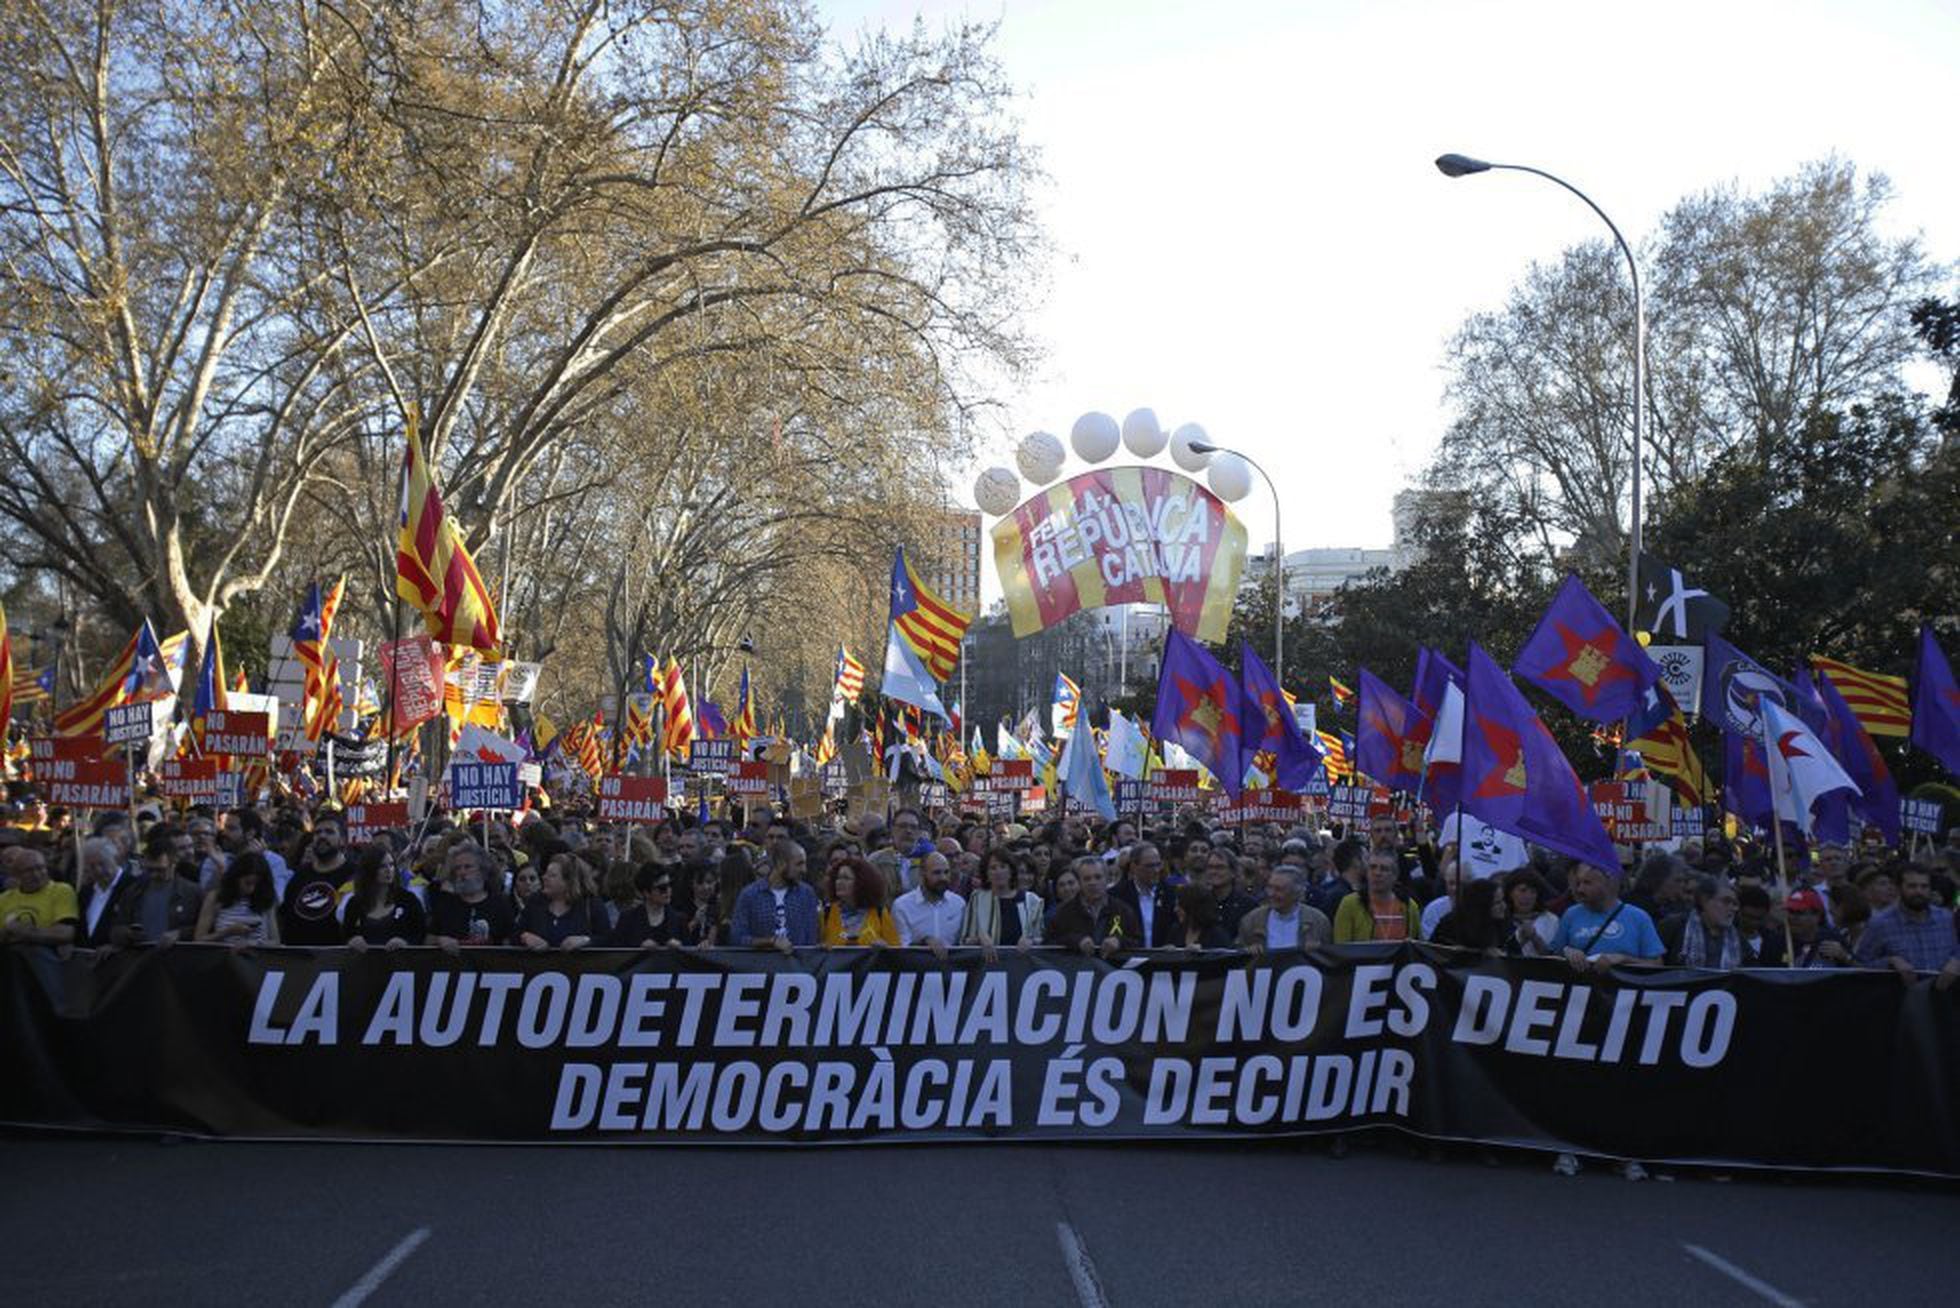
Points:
[(679, 1046)]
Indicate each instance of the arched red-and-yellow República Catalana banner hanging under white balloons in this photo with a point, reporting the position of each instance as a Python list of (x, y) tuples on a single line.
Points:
[(1122, 536)]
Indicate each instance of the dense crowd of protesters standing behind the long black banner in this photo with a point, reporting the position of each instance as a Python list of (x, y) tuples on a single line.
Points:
[(289, 876)]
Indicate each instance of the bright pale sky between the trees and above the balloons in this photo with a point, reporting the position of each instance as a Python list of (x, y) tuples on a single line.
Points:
[(1251, 232)]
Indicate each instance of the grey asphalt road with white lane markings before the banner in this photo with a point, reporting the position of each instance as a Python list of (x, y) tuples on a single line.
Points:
[(134, 1223)]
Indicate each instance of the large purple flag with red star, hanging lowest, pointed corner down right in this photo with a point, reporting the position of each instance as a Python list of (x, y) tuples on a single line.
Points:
[(1514, 776)]
